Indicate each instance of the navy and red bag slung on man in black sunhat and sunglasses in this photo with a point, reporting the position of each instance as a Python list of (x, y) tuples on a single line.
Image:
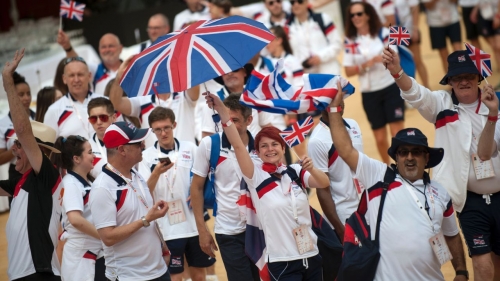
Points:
[(361, 253)]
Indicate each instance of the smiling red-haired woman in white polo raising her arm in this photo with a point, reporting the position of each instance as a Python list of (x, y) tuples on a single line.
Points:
[(280, 202)]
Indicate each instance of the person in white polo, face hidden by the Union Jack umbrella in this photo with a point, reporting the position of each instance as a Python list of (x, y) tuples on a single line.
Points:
[(183, 104)]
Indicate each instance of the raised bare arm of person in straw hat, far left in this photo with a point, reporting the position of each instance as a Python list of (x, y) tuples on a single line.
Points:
[(20, 119)]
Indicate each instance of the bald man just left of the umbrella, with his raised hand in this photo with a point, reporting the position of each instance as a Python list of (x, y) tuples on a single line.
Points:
[(110, 49)]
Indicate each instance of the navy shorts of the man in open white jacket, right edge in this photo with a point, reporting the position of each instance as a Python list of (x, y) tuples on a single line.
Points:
[(480, 223)]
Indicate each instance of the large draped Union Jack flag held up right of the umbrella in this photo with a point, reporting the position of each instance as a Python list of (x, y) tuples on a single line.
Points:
[(271, 93)]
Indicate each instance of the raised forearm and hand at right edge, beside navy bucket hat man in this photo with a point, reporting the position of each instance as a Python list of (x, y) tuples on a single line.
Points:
[(487, 145)]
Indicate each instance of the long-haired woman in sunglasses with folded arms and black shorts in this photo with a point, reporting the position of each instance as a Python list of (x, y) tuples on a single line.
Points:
[(381, 100)]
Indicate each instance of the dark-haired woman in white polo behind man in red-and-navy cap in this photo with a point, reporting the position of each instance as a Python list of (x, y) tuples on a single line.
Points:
[(83, 244)]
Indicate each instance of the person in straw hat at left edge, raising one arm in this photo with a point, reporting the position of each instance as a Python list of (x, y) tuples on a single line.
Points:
[(36, 205)]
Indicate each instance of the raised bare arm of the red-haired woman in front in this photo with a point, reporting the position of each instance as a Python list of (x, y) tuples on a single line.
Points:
[(244, 160)]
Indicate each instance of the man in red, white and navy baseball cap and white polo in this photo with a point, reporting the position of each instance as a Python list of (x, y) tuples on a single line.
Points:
[(133, 246)]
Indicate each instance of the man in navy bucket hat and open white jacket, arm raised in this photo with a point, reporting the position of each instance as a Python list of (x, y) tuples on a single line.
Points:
[(466, 125)]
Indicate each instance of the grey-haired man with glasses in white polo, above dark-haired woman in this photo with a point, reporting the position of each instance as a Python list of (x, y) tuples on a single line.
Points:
[(68, 115)]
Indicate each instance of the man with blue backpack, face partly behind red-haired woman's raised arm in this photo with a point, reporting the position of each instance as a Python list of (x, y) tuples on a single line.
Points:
[(229, 226)]
